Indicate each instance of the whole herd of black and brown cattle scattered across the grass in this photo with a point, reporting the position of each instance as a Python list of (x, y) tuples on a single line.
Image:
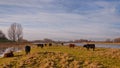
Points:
[(28, 48)]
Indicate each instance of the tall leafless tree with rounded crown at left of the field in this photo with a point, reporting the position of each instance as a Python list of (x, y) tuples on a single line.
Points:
[(15, 32)]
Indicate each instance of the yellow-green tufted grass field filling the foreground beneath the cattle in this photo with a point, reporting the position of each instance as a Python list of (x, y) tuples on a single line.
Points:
[(64, 57)]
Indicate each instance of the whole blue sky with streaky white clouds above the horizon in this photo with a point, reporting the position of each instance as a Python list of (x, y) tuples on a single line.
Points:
[(62, 19)]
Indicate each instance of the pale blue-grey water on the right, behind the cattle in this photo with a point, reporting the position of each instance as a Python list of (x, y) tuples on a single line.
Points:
[(100, 45)]
